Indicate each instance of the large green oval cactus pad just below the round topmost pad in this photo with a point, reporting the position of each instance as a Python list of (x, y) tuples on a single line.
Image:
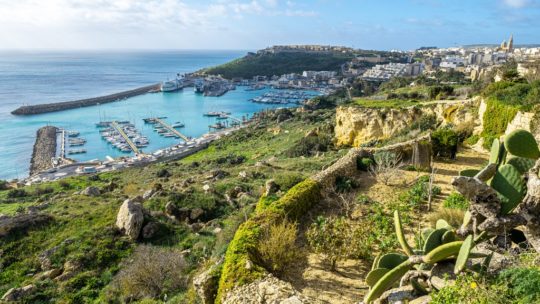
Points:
[(511, 187)]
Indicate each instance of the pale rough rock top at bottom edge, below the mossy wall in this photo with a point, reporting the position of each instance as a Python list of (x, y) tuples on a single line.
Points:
[(268, 290)]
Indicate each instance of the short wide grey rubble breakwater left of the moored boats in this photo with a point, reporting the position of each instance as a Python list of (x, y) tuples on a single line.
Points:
[(44, 149)]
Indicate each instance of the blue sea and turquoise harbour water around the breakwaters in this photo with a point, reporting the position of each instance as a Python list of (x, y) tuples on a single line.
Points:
[(34, 77)]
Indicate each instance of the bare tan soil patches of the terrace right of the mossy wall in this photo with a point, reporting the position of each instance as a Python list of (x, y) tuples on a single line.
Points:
[(346, 285)]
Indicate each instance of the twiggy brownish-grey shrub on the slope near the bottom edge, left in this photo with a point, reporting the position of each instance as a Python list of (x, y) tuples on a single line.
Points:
[(153, 272)]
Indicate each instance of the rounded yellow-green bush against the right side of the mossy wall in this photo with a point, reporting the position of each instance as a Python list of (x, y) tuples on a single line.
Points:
[(277, 247)]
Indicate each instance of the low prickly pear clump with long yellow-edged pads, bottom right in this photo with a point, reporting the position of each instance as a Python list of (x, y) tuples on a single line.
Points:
[(440, 243)]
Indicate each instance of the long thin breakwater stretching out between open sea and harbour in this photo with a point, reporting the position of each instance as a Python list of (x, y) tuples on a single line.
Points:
[(60, 106)]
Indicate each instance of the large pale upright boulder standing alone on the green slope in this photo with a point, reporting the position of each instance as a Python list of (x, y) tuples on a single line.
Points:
[(130, 218)]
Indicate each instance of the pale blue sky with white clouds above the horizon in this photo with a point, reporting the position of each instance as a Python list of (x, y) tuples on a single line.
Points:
[(256, 24)]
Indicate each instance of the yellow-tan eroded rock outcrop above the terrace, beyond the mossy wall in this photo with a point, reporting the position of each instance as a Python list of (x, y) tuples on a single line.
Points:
[(356, 125)]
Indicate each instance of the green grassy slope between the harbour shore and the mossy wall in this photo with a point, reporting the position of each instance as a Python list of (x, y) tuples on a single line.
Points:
[(81, 231)]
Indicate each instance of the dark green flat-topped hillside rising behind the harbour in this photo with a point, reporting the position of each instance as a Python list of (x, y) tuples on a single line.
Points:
[(279, 64)]
